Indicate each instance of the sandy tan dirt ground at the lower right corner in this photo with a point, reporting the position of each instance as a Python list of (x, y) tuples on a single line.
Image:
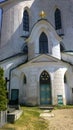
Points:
[(63, 120)]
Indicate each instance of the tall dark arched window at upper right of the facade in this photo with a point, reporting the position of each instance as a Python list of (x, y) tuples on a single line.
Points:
[(58, 24)]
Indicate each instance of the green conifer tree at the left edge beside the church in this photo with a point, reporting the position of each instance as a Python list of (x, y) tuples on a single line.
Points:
[(3, 91)]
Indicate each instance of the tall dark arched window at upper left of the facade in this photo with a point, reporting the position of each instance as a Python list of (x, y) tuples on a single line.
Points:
[(25, 21)]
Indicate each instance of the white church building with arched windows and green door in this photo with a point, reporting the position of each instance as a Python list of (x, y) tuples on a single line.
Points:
[(36, 51)]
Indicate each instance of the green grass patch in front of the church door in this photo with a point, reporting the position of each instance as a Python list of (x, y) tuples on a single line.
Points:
[(29, 120)]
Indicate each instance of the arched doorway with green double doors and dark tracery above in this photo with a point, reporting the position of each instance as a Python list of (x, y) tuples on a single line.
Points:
[(45, 89)]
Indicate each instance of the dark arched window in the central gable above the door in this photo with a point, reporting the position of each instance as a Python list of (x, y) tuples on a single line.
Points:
[(43, 43)]
